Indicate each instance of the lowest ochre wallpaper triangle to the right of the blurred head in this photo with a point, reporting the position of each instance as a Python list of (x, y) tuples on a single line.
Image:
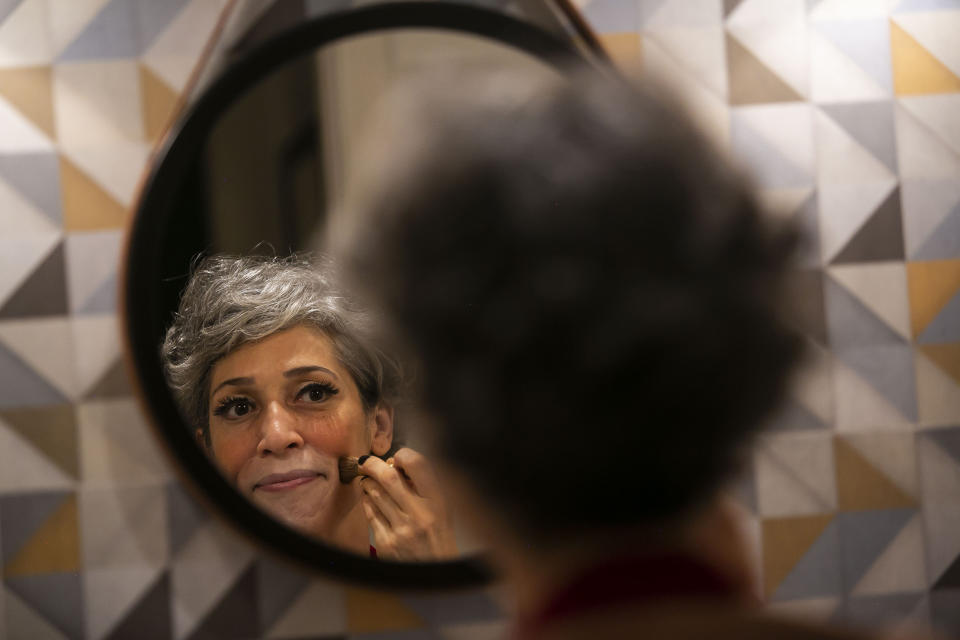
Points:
[(785, 540)]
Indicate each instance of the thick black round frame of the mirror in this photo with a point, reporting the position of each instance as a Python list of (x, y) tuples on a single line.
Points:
[(170, 164)]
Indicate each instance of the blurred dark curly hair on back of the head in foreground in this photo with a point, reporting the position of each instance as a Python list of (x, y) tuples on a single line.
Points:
[(590, 287)]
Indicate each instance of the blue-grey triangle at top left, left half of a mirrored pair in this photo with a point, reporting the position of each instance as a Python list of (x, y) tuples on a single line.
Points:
[(111, 34)]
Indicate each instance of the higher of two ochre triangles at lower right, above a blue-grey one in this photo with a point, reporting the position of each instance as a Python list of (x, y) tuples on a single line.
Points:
[(860, 485)]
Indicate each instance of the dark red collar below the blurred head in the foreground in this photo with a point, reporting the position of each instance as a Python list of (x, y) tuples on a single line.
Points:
[(629, 579)]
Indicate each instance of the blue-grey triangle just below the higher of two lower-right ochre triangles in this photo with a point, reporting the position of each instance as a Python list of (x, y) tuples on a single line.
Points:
[(864, 535)]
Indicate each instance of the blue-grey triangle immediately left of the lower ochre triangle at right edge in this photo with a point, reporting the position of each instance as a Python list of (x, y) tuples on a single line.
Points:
[(888, 368)]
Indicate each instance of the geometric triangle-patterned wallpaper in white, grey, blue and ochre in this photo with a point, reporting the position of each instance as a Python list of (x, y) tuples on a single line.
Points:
[(847, 110)]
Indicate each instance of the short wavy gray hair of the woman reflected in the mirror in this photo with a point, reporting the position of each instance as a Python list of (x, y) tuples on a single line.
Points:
[(233, 300)]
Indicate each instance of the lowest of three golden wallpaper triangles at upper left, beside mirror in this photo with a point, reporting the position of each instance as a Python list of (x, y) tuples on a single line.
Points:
[(86, 205)]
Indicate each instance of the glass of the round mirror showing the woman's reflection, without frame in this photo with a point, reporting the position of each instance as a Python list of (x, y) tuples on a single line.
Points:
[(273, 367)]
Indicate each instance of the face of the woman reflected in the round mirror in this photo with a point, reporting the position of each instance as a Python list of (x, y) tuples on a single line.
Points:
[(282, 411)]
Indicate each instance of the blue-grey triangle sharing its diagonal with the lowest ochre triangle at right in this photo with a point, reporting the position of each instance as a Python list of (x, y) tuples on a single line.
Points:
[(818, 571)]
